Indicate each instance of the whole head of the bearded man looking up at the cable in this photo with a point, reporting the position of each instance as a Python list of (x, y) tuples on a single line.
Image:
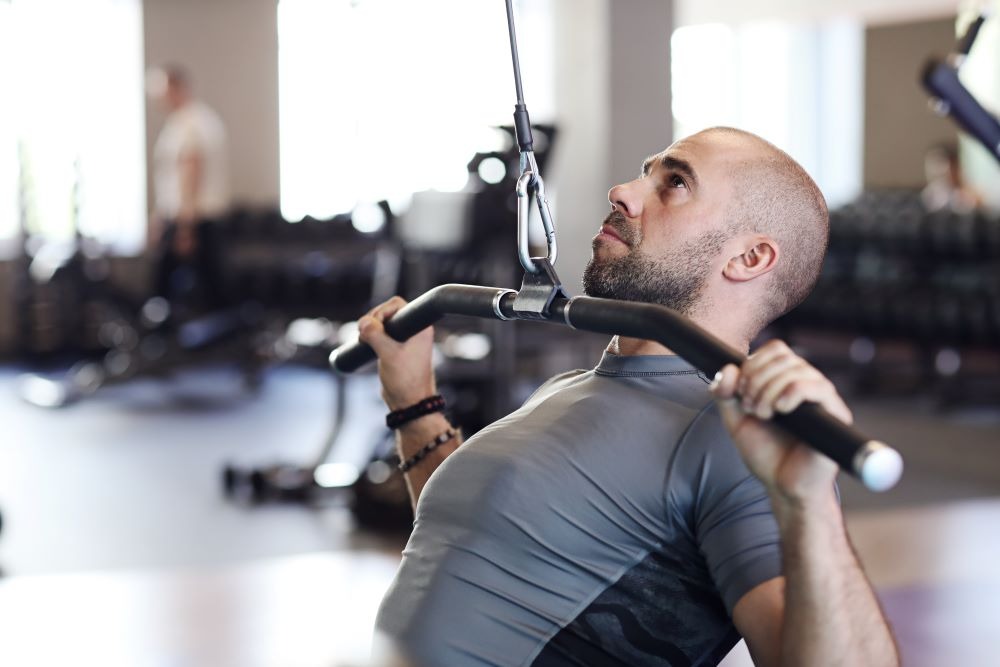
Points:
[(723, 227)]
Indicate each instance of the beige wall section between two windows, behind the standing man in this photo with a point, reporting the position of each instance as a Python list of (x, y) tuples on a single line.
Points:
[(230, 48)]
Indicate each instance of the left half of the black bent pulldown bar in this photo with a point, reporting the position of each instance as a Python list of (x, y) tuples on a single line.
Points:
[(424, 311)]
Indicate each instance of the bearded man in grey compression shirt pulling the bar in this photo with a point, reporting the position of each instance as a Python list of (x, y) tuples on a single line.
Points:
[(610, 520)]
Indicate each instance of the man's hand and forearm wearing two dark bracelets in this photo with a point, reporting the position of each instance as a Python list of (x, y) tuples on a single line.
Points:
[(407, 377)]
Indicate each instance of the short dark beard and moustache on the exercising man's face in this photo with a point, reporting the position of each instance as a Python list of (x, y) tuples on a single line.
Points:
[(675, 279)]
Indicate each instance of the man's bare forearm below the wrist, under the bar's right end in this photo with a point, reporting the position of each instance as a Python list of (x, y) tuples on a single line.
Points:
[(832, 616)]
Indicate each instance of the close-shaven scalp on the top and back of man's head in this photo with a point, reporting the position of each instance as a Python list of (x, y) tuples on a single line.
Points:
[(773, 195)]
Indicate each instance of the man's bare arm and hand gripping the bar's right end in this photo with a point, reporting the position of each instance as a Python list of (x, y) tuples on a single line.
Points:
[(823, 611)]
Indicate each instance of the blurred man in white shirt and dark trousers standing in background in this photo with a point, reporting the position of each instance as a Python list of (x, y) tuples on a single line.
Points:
[(192, 192)]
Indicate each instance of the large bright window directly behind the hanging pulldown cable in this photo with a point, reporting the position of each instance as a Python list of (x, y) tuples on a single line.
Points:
[(383, 98)]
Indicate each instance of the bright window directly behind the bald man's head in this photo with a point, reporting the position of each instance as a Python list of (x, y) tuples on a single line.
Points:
[(799, 86)]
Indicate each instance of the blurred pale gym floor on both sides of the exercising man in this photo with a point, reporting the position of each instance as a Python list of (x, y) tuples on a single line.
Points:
[(118, 547)]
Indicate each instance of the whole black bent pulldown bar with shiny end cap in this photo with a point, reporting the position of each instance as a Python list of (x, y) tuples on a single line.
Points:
[(877, 465)]
